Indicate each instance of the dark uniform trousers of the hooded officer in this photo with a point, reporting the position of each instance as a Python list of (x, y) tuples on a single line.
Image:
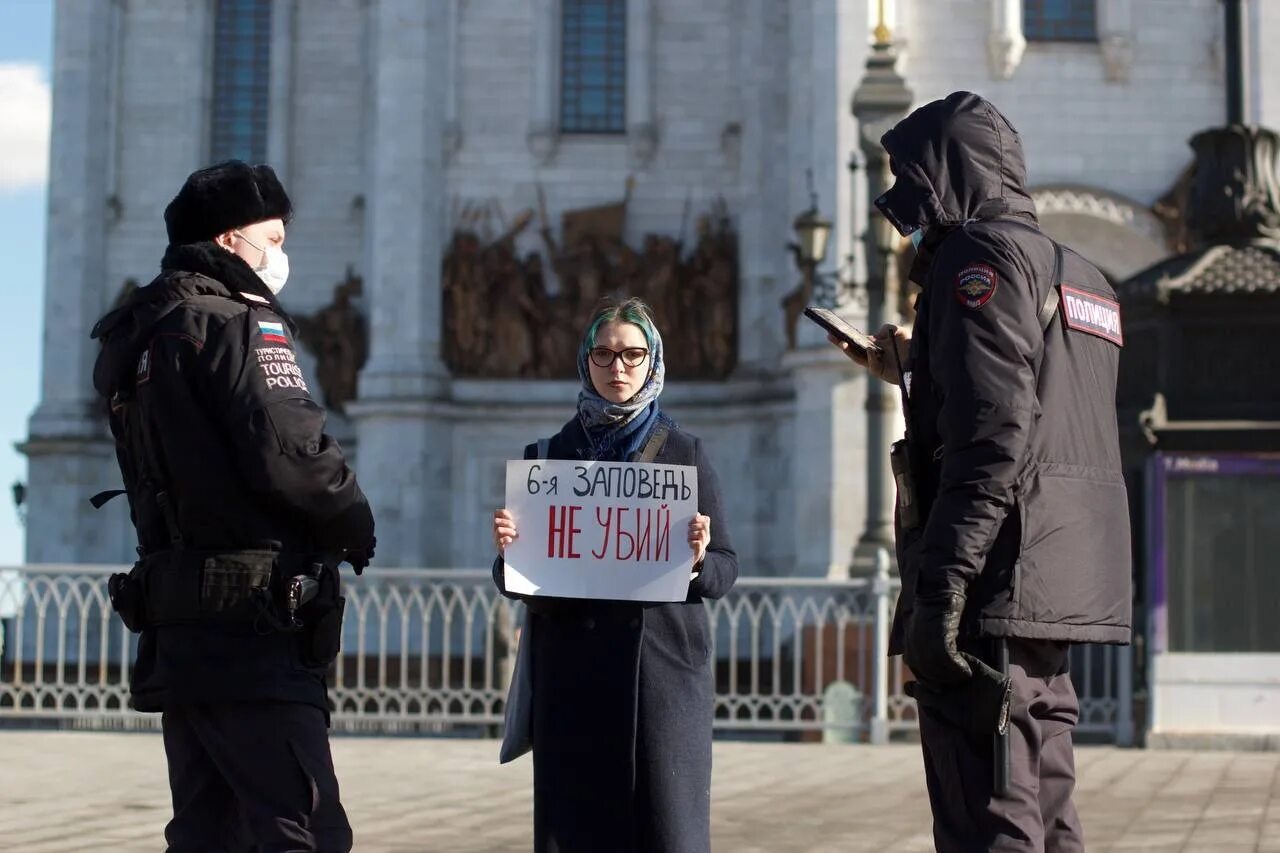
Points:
[(1037, 815)]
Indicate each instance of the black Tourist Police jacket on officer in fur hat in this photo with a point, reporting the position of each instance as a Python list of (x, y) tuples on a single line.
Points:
[(212, 359)]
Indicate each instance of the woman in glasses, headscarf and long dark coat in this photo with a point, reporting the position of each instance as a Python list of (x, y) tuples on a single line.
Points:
[(623, 692)]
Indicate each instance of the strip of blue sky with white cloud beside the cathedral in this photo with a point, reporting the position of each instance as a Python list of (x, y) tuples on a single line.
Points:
[(26, 48)]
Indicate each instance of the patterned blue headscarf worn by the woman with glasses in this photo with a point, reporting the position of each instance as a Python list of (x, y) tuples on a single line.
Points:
[(616, 431)]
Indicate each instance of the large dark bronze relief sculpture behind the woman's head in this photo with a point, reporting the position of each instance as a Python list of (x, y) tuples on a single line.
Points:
[(504, 320)]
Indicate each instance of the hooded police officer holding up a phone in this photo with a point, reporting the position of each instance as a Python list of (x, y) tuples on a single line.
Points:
[(1016, 541)]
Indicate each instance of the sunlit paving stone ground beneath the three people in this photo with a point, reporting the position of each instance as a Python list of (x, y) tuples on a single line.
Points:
[(65, 791)]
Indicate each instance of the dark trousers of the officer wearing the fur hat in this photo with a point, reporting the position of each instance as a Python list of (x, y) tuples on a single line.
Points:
[(253, 777)]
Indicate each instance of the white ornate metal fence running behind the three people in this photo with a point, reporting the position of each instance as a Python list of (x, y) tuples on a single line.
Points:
[(432, 651)]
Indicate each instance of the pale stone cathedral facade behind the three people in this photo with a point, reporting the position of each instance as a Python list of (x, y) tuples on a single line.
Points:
[(469, 176)]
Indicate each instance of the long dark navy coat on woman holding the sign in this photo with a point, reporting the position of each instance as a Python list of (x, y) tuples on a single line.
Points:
[(624, 699)]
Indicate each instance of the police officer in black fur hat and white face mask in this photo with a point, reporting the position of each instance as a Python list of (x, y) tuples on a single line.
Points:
[(244, 508)]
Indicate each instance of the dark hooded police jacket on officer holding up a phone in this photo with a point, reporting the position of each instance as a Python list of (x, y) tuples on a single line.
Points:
[(1026, 504)]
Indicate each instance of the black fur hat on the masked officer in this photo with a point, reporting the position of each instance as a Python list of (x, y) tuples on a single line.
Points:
[(222, 198)]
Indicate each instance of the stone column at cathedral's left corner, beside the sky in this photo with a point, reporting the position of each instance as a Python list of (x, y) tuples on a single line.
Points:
[(67, 445)]
